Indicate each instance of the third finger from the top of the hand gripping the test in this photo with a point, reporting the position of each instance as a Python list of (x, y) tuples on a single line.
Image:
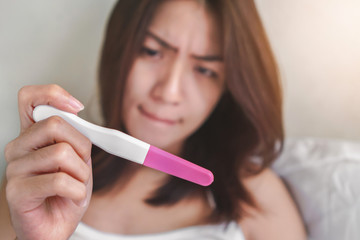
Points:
[(60, 157)]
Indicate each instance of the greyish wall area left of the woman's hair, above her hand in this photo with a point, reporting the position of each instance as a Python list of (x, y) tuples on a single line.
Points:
[(47, 42)]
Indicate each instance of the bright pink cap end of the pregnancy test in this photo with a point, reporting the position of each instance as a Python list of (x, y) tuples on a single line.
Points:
[(171, 164)]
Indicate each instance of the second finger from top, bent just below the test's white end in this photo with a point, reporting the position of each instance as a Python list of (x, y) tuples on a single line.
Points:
[(47, 132)]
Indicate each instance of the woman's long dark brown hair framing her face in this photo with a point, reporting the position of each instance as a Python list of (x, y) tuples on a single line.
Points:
[(242, 136)]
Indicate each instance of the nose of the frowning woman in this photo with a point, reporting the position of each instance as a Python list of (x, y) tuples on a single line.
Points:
[(168, 88)]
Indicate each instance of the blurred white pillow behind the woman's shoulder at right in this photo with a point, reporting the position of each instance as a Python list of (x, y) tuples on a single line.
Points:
[(323, 176)]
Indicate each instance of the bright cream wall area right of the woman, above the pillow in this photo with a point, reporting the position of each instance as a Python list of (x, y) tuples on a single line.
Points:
[(317, 44)]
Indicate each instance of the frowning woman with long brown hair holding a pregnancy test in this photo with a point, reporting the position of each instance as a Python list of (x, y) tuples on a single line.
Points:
[(195, 78)]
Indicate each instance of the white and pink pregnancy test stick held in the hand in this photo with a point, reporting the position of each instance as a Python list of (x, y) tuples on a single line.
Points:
[(130, 148)]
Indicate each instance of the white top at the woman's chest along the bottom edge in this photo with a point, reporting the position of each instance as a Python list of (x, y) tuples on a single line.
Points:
[(205, 232)]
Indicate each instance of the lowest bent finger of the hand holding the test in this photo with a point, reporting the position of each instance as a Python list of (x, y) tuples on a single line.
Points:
[(29, 193)]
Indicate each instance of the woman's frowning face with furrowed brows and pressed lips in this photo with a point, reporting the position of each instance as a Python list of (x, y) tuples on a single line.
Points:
[(177, 78)]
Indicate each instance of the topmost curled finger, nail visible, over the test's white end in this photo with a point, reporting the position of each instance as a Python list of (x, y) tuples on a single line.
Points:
[(31, 96)]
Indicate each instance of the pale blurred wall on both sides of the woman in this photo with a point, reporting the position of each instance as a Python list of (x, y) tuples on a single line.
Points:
[(316, 43)]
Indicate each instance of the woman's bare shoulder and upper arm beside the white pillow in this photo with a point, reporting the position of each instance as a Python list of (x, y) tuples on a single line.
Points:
[(276, 215)]
